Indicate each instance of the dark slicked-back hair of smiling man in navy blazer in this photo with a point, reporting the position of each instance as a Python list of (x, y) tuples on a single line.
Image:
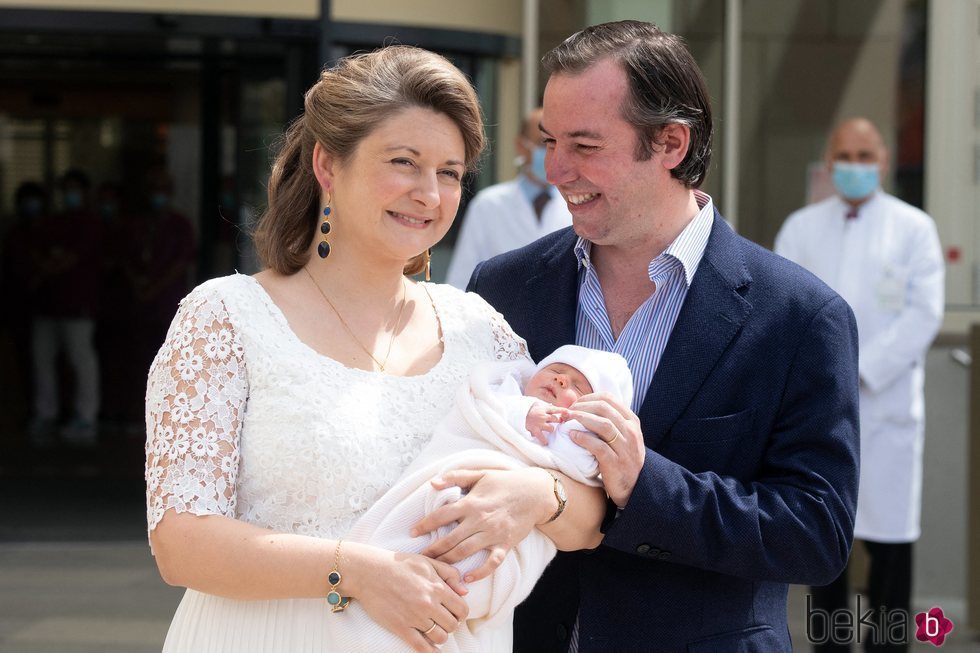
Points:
[(665, 85)]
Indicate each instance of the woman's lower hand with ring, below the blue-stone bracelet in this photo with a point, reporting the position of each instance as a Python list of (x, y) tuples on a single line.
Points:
[(416, 598)]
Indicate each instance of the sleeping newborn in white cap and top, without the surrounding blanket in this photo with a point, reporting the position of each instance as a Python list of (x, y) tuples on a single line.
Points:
[(539, 410)]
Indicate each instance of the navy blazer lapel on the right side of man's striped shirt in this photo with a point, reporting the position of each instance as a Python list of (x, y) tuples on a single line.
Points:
[(712, 314)]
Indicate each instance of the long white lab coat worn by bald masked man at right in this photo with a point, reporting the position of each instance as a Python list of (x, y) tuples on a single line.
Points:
[(888, 265)]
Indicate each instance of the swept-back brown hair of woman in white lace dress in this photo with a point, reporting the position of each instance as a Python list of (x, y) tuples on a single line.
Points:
[(348, 102)]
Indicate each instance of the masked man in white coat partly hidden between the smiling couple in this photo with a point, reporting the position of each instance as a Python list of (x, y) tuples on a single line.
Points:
[(512, 214)]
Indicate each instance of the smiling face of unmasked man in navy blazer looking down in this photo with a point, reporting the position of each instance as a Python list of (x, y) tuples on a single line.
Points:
[(591, 156)]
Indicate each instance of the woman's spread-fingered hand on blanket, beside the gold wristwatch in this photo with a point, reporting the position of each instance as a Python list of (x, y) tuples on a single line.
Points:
[(498, 511)]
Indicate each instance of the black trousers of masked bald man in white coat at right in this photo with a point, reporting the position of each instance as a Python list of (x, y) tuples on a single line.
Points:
[(889, 585)]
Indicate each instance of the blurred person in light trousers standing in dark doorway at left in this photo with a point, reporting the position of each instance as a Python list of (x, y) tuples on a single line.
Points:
[(65, 253)]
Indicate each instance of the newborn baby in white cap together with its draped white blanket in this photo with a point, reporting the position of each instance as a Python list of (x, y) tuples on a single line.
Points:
[(499, 413)]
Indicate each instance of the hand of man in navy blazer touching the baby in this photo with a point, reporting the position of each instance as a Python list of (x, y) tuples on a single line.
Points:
[(617, 444)]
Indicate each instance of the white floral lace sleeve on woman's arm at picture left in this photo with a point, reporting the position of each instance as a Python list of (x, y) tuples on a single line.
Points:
[(195, 399)]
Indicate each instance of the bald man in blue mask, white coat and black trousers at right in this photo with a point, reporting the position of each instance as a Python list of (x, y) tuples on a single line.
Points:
[(883, 256)]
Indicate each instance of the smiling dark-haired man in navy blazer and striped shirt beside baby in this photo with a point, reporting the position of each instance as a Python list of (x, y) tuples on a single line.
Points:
[(737, 473)]
